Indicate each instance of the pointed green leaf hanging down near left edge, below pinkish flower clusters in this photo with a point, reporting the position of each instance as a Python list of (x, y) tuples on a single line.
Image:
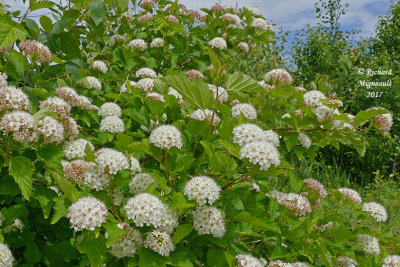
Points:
[(21, 168)]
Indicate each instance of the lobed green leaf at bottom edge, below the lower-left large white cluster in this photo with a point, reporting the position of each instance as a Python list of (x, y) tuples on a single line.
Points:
[(94, 248)]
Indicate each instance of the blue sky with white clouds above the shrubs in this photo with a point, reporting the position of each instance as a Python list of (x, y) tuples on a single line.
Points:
[(291, 15)]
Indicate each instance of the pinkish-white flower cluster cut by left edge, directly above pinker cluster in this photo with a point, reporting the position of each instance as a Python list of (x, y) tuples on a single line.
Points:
[(12, 98)]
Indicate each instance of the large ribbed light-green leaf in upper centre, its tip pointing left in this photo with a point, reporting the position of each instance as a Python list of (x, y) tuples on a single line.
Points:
[(195, 92)]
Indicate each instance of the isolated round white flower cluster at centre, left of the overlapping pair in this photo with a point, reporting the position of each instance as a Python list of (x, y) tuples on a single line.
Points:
[(166, 136)]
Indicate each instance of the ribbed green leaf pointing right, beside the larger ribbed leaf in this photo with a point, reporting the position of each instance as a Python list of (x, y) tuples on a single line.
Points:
[(238, 82)]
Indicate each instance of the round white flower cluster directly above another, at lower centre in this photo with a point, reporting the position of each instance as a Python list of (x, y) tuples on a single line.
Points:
[(202, 189)]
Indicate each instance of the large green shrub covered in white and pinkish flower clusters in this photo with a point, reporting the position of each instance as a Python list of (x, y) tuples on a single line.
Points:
[(122, 153)]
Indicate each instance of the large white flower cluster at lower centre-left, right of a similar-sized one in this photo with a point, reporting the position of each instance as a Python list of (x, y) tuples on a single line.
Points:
[(146, 209)]
